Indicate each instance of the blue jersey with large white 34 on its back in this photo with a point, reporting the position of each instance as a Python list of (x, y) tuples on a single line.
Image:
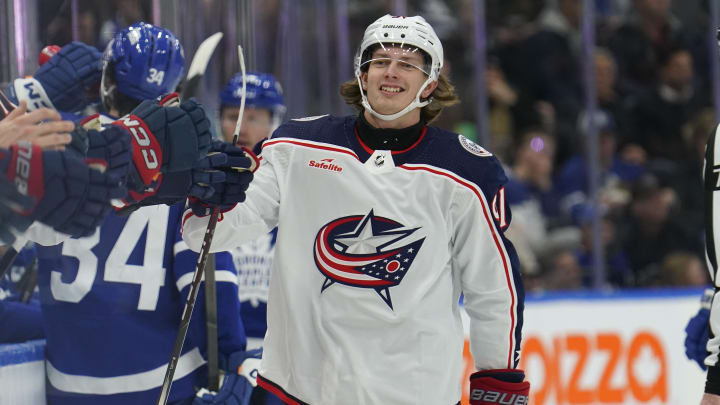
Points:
[(112, 304)]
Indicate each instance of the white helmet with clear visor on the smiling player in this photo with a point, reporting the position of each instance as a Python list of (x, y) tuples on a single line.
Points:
[(404, 32)]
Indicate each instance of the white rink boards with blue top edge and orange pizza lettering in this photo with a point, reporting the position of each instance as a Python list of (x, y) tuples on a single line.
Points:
[(578, 348)]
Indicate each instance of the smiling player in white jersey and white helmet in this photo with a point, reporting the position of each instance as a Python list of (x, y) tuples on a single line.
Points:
[(383, 223)]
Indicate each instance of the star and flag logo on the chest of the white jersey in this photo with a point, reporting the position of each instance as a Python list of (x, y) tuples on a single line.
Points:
[(366, 251)]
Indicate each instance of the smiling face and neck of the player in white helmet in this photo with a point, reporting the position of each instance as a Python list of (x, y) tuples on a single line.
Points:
[(391, 82)]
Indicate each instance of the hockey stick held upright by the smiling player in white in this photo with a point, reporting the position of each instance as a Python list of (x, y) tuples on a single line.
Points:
[(199, 270)]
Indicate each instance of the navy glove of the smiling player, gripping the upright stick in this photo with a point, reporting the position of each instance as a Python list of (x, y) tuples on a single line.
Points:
[(239, 174)]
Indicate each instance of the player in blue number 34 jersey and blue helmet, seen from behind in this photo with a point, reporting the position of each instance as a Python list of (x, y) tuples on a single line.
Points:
[(112, 300)]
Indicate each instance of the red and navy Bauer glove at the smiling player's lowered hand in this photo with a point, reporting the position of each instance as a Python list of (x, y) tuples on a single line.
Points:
[(504, 386)]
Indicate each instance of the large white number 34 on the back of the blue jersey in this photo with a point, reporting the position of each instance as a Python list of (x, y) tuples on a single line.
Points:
[(150, 275)]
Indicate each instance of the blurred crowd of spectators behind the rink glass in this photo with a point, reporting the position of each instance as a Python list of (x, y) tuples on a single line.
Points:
[(654, 64)]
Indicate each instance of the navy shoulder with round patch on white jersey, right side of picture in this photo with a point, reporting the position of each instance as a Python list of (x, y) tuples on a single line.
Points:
[(464, 158)]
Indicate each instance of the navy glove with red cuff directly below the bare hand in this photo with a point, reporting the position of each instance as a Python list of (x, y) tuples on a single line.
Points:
[(72, 197)]
